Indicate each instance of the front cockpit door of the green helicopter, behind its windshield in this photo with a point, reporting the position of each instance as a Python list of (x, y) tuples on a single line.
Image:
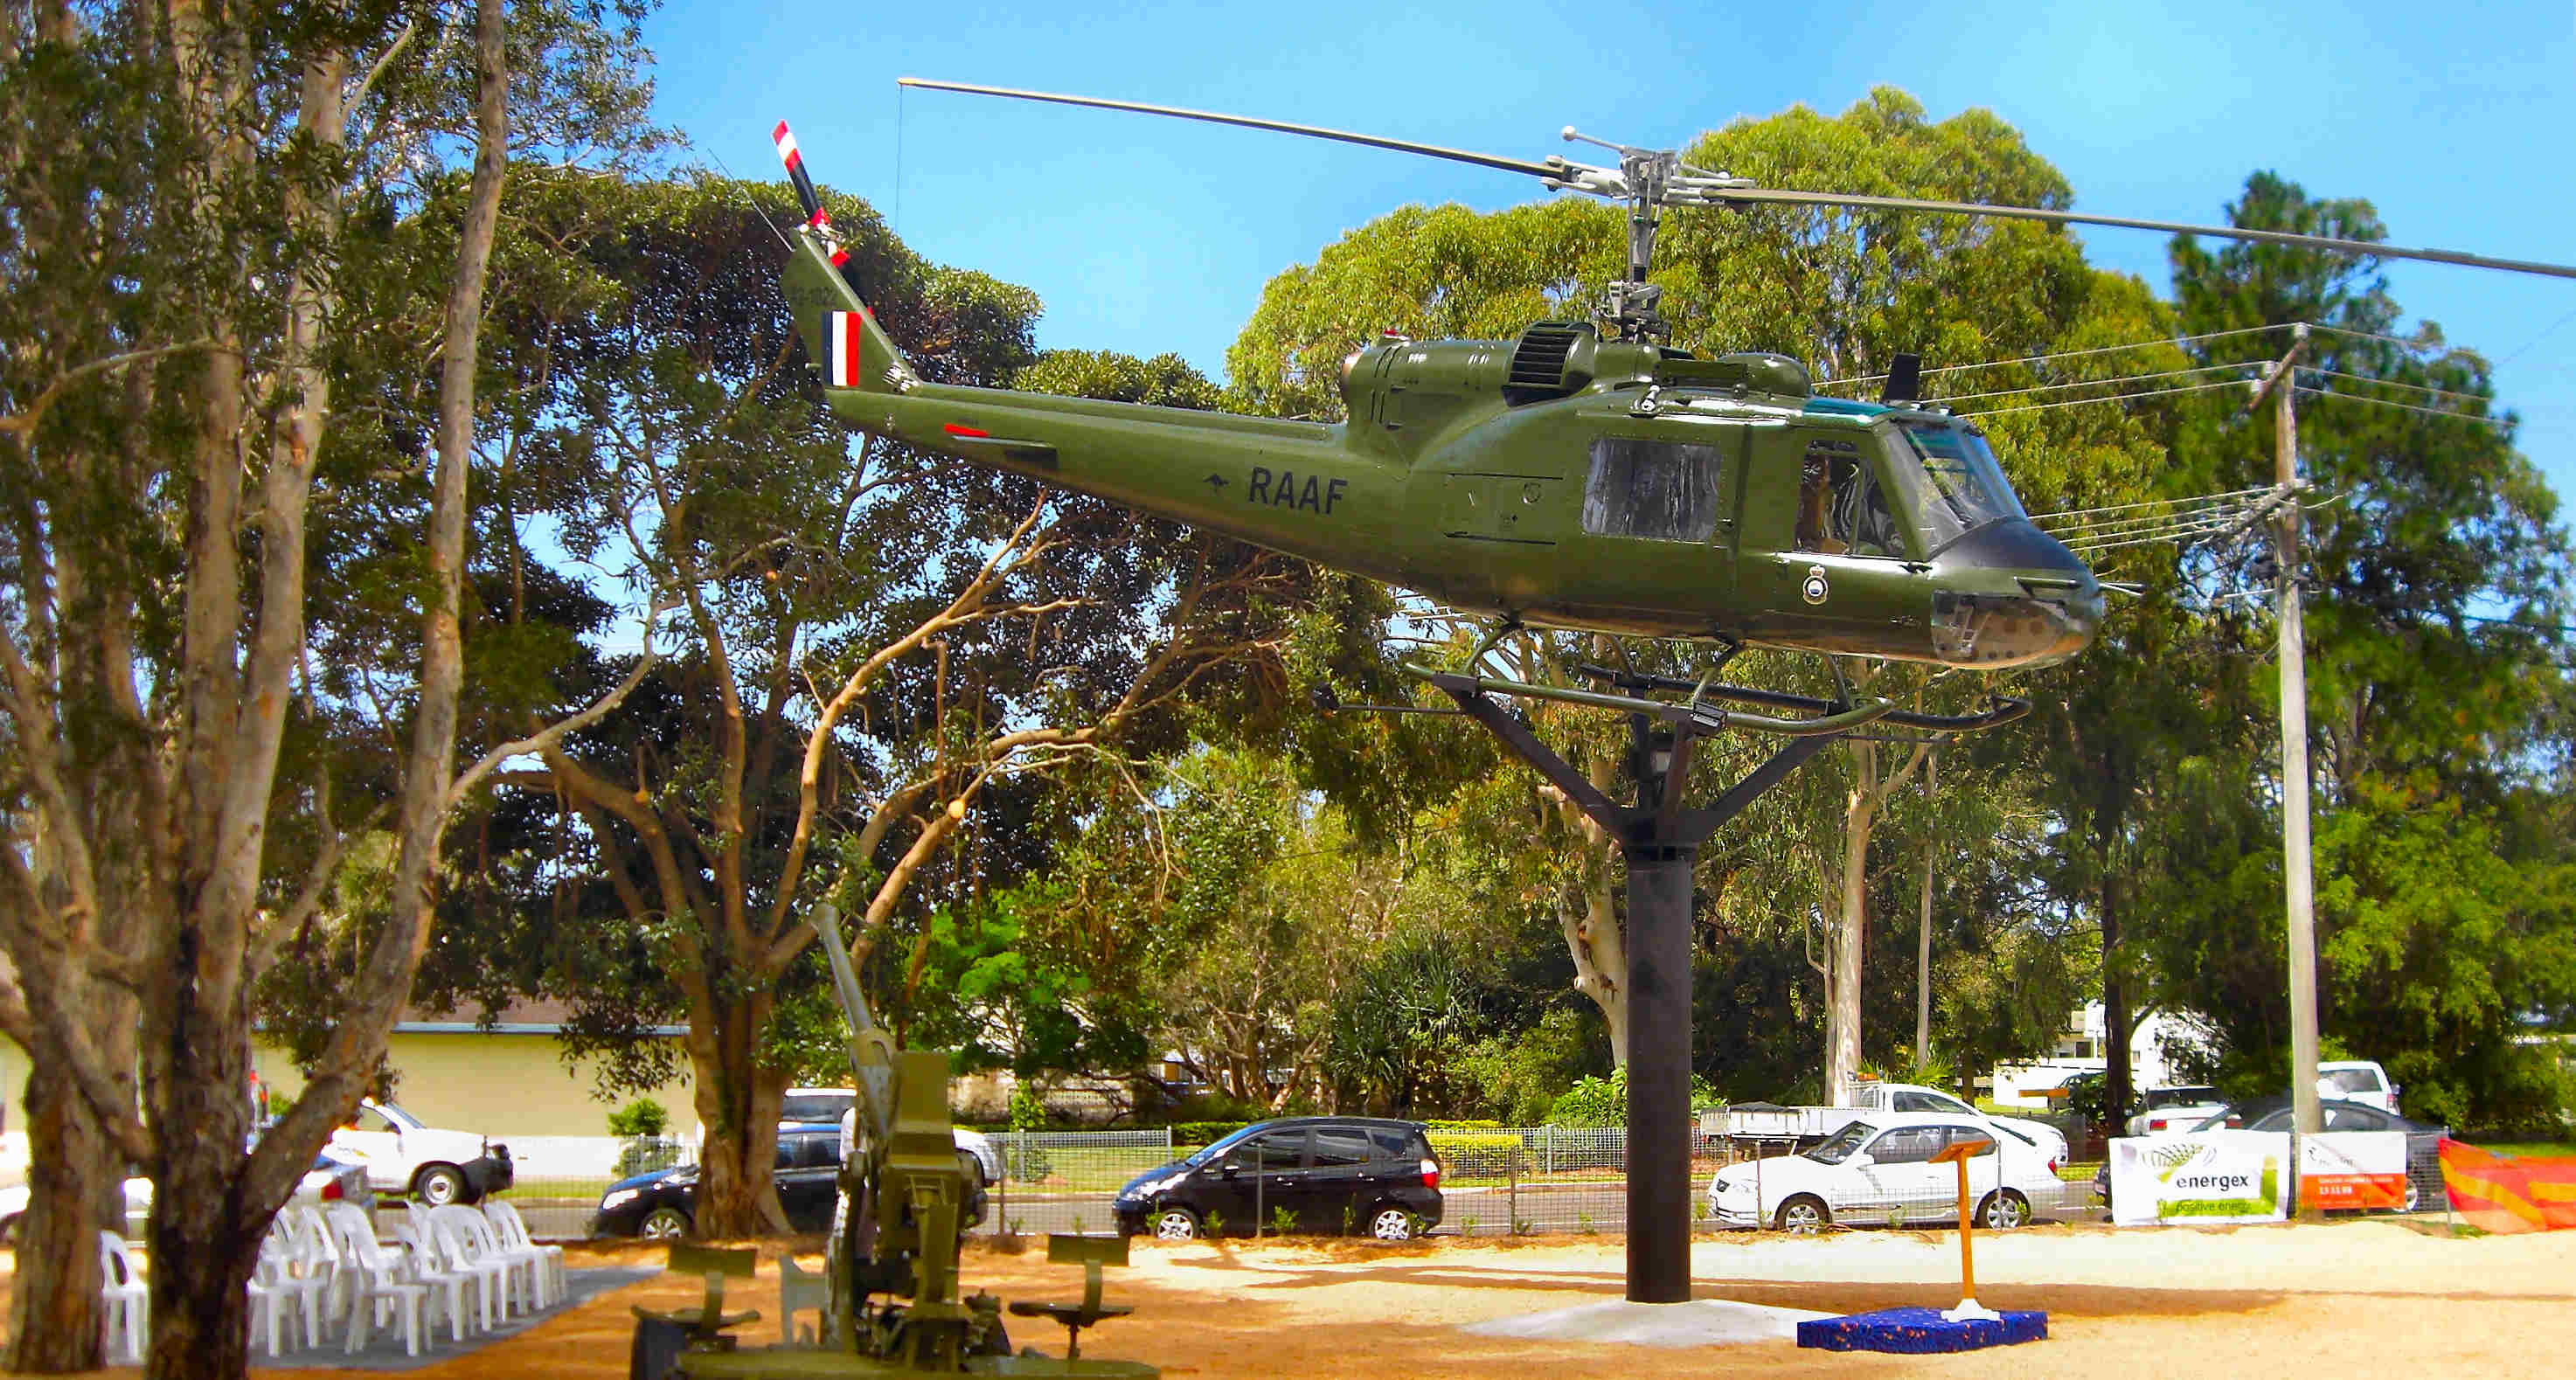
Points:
[(1846, 578)]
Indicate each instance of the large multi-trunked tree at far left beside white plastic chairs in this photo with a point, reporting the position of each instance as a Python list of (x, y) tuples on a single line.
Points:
[(169, 436)]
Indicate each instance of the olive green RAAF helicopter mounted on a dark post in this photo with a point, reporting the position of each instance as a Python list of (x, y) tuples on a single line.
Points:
[(1573, 478)]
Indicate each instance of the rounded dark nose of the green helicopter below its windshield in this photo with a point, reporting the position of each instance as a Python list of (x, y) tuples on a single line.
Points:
[(2013, 596)]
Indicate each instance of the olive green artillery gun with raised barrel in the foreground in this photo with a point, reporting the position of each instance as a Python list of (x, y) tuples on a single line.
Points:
[(893, 1278)]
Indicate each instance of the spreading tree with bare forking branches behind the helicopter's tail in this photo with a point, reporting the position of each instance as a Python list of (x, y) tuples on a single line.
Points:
[(877, 655)]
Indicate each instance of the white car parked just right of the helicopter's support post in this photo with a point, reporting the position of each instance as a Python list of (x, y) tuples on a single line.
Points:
[(1879, 1170)]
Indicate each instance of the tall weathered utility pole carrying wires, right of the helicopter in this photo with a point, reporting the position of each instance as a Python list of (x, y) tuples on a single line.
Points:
[(2294, 743)]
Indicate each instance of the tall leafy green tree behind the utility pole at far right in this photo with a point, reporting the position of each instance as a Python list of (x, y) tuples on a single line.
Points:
[(2436, 725)]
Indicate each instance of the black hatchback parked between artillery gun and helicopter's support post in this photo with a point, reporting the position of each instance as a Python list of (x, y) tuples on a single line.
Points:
[(1318, 1175)]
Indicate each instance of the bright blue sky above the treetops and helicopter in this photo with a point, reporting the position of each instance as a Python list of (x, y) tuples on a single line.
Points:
[(1158, 236)]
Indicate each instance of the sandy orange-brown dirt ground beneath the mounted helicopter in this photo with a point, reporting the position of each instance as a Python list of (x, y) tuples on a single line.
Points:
[(2178, 1304)]
